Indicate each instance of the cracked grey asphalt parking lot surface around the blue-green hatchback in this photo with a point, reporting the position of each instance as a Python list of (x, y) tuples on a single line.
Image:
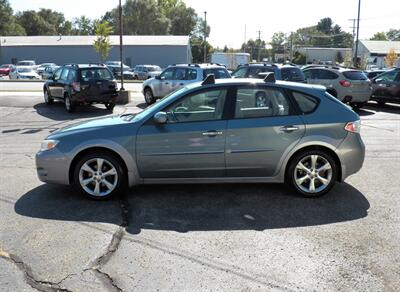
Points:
[(203, 237)]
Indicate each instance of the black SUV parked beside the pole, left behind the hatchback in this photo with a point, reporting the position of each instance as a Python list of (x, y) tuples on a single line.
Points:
[(81, 84)]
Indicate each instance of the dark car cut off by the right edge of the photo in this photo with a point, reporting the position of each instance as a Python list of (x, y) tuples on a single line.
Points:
[(386, 87)]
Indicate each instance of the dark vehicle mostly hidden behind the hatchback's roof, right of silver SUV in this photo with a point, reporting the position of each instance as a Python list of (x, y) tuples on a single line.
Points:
[(282, 72)]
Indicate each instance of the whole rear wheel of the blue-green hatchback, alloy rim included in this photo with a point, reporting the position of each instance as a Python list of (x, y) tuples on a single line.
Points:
[(312, 173)]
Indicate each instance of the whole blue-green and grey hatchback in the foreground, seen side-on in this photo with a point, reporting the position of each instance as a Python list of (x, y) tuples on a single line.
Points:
[(226, 131)]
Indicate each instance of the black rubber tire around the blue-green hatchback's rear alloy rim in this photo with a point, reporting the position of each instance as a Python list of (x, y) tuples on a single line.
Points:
[(292, 172)]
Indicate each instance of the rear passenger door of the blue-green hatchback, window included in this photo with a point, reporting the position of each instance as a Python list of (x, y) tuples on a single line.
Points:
[(263, 130)]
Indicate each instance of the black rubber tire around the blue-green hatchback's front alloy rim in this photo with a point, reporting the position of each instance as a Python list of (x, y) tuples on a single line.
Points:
[(108, 159)]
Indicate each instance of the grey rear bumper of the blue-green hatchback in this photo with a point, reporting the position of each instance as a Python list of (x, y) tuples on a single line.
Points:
[(351, 153)]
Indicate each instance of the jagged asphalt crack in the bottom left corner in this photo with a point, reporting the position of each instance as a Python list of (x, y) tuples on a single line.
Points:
[(31, 280)]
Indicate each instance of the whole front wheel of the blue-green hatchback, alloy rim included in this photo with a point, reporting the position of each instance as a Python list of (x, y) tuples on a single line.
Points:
[(99, 175)]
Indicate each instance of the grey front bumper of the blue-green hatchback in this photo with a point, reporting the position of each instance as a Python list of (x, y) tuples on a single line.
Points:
[(52, 166)]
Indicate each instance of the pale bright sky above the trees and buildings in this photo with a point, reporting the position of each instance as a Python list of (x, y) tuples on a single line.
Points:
[(233, 21)]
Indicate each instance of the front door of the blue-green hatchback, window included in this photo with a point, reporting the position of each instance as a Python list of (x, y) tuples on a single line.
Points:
[(191, 144)]
